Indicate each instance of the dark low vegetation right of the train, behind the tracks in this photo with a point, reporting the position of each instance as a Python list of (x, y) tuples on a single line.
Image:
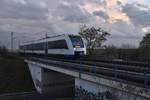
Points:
[(134, 54)]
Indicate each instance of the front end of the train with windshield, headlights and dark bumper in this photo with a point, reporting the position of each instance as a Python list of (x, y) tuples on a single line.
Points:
[(78, 45)]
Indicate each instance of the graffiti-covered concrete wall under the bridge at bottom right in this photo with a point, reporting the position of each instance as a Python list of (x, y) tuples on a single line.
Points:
[(93, 91)]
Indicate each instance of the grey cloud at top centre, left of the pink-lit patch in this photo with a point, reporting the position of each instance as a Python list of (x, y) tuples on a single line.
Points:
[(70, 12)]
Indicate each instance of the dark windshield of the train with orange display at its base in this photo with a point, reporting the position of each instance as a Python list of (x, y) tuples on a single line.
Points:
[(77, 41)]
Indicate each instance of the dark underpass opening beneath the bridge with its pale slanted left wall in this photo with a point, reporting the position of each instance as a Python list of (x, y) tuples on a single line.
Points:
[(51, 83)]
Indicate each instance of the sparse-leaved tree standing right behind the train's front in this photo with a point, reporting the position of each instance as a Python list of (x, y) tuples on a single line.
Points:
[(94, 37)]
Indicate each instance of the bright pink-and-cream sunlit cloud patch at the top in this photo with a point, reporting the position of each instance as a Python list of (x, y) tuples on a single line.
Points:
[(109, 9)]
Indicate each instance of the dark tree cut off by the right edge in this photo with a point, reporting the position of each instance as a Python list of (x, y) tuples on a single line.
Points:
[(145, 43)]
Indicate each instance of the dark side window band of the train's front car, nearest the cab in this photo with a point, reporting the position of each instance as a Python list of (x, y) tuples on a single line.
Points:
[(59, 44)]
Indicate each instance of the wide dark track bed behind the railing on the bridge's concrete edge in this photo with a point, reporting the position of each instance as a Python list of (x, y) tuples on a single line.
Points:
[(138, 75)]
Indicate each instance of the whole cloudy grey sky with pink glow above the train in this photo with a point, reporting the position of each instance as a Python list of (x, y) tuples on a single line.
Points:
[(126, 20)]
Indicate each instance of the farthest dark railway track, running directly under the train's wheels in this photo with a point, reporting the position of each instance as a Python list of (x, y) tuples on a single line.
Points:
[(115, 61)]
